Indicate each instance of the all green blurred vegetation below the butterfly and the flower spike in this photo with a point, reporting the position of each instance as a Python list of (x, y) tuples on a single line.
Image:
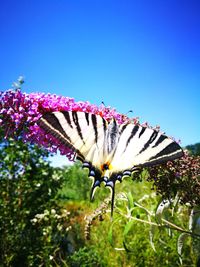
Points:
[(46, 218)]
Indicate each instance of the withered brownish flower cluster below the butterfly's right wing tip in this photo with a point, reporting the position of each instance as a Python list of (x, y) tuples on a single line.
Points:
[(180, 176)]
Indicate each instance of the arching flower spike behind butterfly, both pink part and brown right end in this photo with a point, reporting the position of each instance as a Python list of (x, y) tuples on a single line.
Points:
[(19, 113)]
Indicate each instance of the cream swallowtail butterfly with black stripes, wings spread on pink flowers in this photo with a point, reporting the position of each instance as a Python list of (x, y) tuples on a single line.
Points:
[(108, 149)]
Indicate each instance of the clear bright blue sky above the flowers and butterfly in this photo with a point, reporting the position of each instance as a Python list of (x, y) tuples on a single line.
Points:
[(139, 55)]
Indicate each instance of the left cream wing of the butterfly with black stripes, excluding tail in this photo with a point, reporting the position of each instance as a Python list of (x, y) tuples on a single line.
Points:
[(83, 132)]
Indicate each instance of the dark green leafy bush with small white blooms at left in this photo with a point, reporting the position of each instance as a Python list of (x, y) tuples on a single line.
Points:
[(32, 226)]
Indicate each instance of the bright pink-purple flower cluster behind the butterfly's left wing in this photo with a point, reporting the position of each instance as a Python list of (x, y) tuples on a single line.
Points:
[(19, 113)]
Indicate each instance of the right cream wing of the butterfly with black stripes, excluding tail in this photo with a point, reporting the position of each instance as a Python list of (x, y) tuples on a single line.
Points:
[(143, 146)]
